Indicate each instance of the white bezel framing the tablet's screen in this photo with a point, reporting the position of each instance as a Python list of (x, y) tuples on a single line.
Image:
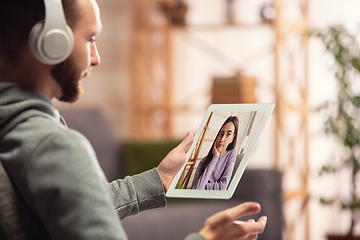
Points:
[(266, 108)]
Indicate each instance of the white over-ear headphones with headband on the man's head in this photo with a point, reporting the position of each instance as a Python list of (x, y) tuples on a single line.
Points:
[(52, 41)]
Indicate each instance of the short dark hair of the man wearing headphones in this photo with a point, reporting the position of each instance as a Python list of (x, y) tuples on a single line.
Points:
[(17, 17)]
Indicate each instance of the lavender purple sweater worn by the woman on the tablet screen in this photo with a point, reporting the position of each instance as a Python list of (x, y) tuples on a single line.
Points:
[(217, 174)]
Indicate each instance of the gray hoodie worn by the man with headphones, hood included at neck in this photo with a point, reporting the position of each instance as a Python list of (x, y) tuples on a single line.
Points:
[(57, 172)]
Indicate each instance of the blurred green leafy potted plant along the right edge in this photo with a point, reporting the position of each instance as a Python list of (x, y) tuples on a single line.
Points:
[(343, 117)]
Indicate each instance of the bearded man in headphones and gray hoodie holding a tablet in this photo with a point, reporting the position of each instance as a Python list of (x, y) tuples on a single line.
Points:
[(44, 54)]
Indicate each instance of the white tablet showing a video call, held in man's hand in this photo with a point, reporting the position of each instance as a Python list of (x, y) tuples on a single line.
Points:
[(222, 147)]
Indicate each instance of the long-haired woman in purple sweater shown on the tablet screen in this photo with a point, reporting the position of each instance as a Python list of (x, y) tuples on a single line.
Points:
[(214, 171)]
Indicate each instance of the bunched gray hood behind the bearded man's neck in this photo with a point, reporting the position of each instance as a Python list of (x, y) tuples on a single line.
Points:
[(18, 103)]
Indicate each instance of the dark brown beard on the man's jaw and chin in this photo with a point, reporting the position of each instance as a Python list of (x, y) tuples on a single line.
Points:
[(68, 76)]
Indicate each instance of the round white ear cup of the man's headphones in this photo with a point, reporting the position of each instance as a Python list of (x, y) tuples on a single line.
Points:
[(51, 46)]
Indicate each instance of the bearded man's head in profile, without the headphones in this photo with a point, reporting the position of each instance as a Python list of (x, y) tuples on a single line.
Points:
[(17, 17)]
